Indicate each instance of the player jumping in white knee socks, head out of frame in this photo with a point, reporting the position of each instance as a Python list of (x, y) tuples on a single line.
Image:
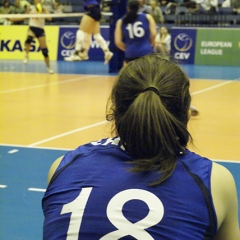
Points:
[(90, 25)]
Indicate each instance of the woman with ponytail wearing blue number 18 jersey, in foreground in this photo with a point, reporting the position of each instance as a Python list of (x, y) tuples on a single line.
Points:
[(144, 183)]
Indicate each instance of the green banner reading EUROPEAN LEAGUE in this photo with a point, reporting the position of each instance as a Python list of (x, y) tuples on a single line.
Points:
[(218, 47)]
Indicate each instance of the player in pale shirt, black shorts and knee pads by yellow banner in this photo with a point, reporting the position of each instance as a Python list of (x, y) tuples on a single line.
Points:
[(36, 30)]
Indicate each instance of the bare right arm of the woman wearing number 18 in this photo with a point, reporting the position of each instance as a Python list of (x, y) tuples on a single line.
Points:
[(225, 202)]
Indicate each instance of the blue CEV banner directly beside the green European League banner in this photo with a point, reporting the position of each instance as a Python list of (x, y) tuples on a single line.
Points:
[(183, 44)]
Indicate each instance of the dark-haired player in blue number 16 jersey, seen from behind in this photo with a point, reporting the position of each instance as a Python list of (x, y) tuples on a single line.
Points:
[(135, 33)]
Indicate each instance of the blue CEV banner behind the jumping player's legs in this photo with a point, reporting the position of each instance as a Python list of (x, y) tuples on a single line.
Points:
[(67, 39)]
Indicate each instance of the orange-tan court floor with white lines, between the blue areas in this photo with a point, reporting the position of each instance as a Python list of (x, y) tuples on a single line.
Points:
[(66, 110)]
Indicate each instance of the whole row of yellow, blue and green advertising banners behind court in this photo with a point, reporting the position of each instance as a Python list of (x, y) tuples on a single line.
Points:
[(202, 46)]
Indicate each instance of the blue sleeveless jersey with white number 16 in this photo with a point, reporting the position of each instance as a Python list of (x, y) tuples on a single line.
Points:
[(136, 36)]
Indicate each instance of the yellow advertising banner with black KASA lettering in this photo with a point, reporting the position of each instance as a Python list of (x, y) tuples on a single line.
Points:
[(12, 41)]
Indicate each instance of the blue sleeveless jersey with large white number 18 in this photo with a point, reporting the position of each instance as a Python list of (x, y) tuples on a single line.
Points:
[(93, 195)]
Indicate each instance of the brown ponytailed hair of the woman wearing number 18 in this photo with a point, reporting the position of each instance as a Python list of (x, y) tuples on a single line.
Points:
[(152, 127)]
